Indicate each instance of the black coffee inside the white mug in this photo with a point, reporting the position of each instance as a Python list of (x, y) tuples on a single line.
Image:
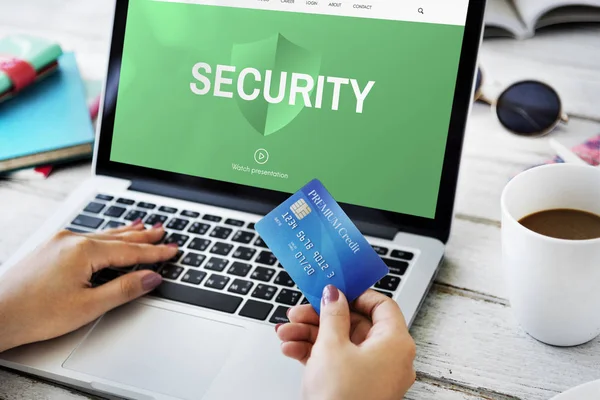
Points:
[(564, 224)]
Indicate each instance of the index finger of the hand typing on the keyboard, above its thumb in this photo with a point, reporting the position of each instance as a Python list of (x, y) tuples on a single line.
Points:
[(114, 253)]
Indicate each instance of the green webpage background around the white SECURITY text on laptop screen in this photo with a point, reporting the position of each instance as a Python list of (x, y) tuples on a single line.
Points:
[(388, 157)]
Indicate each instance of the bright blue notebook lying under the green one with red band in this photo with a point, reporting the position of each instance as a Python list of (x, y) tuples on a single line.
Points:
[(48, 123)]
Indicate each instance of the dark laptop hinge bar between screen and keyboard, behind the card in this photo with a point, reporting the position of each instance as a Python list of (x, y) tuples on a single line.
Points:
[(240, 204)]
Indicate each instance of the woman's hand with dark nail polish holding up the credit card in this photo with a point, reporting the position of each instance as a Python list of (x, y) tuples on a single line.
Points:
[(364, 354)]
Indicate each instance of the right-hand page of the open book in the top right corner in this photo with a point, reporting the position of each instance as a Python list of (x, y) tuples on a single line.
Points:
[(534, 12)]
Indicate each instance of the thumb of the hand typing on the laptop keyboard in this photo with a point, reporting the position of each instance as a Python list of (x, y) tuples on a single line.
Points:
[(122, 290)]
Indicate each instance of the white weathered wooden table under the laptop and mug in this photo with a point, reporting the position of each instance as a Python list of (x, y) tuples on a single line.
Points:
[(469, 345)]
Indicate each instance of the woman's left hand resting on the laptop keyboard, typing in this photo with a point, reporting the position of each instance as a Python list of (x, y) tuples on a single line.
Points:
[(49, 294)]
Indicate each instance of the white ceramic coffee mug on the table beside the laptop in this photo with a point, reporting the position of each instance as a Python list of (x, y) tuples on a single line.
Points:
[(553, 284)]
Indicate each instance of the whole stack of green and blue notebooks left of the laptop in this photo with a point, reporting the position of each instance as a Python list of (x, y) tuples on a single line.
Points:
[(44, 109)]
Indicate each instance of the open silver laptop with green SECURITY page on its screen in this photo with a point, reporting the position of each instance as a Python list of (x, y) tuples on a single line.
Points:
[(213, 113)]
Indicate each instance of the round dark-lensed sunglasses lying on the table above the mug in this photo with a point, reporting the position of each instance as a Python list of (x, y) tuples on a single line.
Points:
[(527, 108)]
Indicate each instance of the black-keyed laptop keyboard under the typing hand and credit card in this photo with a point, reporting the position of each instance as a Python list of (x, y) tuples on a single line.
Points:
[(222, 264)]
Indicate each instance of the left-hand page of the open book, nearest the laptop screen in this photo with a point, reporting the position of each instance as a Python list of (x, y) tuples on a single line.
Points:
[(501, 19)]
